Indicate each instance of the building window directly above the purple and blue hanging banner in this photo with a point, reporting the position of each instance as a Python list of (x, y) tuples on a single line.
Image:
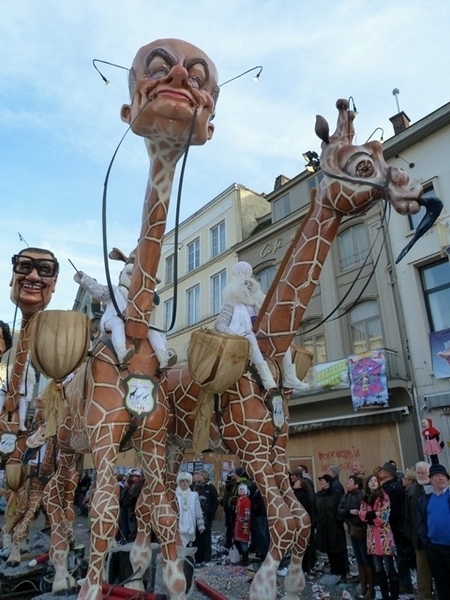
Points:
[(365, 327)]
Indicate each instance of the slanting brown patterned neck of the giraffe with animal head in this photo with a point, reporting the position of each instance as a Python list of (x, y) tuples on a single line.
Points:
[(297, 278)]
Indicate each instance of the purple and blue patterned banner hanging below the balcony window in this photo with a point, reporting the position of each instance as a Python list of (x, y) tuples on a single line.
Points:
[(368, 381)]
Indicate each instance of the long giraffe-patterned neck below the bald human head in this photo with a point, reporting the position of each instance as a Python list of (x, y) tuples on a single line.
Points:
[(148, 252)]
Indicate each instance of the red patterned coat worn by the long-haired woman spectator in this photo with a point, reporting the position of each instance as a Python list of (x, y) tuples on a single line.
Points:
[(380, 540)]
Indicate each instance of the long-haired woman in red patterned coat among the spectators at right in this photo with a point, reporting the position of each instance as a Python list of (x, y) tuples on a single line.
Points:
[(375, 511)]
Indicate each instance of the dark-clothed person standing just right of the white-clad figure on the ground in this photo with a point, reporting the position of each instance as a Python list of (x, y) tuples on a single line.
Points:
[(209, 501)]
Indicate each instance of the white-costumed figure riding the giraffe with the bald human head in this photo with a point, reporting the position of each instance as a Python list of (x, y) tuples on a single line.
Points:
[(113, 323)]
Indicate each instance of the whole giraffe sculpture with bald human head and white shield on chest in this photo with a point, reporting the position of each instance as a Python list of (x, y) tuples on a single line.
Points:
[(173, 86)]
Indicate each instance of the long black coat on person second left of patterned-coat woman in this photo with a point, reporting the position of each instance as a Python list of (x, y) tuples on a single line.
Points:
[(330, 534)]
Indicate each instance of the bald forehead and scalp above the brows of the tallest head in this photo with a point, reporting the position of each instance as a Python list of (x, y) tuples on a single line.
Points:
[(180, 50)]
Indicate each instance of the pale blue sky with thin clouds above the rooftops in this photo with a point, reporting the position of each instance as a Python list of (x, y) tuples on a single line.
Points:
[(60, 124)]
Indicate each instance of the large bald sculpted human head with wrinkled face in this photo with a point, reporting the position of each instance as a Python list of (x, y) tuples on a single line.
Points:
[(169, 80)]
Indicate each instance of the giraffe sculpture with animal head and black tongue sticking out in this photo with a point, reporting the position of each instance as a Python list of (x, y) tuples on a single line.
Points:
[(355, 177)]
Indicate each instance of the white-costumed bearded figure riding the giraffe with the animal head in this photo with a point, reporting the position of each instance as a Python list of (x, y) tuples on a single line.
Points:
[(242, 300)]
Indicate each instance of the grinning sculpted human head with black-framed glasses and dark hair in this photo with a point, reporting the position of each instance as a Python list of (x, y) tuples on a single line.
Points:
[(35, 273)]
